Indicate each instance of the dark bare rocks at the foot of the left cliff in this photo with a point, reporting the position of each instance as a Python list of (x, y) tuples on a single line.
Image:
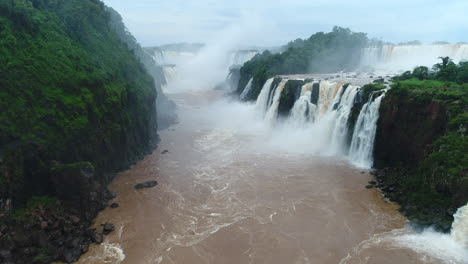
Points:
[(45, 234)]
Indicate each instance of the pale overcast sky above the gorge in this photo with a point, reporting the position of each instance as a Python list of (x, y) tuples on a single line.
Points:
[(275, 22)]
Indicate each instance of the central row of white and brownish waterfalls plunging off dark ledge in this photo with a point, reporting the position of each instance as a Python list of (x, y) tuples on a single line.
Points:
[(322, 109)]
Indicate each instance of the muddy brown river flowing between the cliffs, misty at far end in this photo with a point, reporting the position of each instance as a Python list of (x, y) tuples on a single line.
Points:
[(226, 195)]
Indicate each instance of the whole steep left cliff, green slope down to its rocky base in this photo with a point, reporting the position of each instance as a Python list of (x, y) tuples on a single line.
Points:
[(77, 105)]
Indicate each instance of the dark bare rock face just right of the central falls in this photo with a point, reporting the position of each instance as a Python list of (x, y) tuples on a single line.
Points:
[(406, 130)]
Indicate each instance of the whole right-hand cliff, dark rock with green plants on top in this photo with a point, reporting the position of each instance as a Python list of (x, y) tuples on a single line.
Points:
[(421, 145)]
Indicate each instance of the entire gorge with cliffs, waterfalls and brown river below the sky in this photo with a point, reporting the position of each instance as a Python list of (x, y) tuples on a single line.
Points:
[(331, 149)]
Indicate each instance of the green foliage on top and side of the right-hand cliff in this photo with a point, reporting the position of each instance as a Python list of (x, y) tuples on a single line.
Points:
[(440, 178)]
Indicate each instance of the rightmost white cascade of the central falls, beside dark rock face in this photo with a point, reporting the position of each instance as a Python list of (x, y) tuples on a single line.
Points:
[(362, 143)]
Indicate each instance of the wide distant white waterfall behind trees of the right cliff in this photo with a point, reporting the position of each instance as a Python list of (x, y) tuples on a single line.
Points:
[(406, 57)]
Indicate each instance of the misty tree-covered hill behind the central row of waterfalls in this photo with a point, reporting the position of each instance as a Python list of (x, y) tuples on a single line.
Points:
[(322, 52)]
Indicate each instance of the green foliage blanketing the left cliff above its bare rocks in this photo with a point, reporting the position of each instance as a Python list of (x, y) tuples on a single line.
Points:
[(71, 90)]
